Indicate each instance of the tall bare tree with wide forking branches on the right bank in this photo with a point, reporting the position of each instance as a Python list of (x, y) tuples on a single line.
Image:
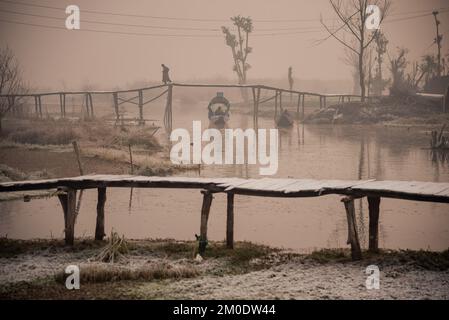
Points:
[(354, 15)]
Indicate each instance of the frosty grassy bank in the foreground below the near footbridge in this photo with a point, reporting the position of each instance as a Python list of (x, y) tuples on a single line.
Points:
[(250, 271)]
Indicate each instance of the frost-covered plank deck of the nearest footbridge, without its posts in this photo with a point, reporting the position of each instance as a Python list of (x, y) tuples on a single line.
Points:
[(267, 187)]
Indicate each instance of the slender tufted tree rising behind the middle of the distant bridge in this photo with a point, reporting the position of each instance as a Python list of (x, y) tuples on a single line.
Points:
[(239, 45)]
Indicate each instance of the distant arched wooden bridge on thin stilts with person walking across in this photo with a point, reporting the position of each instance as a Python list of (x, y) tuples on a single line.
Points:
[(120, 97)]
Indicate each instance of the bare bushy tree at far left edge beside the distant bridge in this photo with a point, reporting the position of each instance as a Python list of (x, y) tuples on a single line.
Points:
[(10, 82)]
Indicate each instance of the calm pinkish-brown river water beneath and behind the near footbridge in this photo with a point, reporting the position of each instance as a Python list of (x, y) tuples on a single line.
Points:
[(310, 151)]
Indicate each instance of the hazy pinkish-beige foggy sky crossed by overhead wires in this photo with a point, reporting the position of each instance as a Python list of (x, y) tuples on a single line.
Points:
[(61, 59)]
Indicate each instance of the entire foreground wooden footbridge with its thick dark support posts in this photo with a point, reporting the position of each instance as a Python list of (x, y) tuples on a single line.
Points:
[(267, 187)]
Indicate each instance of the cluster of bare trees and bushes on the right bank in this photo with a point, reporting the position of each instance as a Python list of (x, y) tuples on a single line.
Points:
[(366, 50)]
